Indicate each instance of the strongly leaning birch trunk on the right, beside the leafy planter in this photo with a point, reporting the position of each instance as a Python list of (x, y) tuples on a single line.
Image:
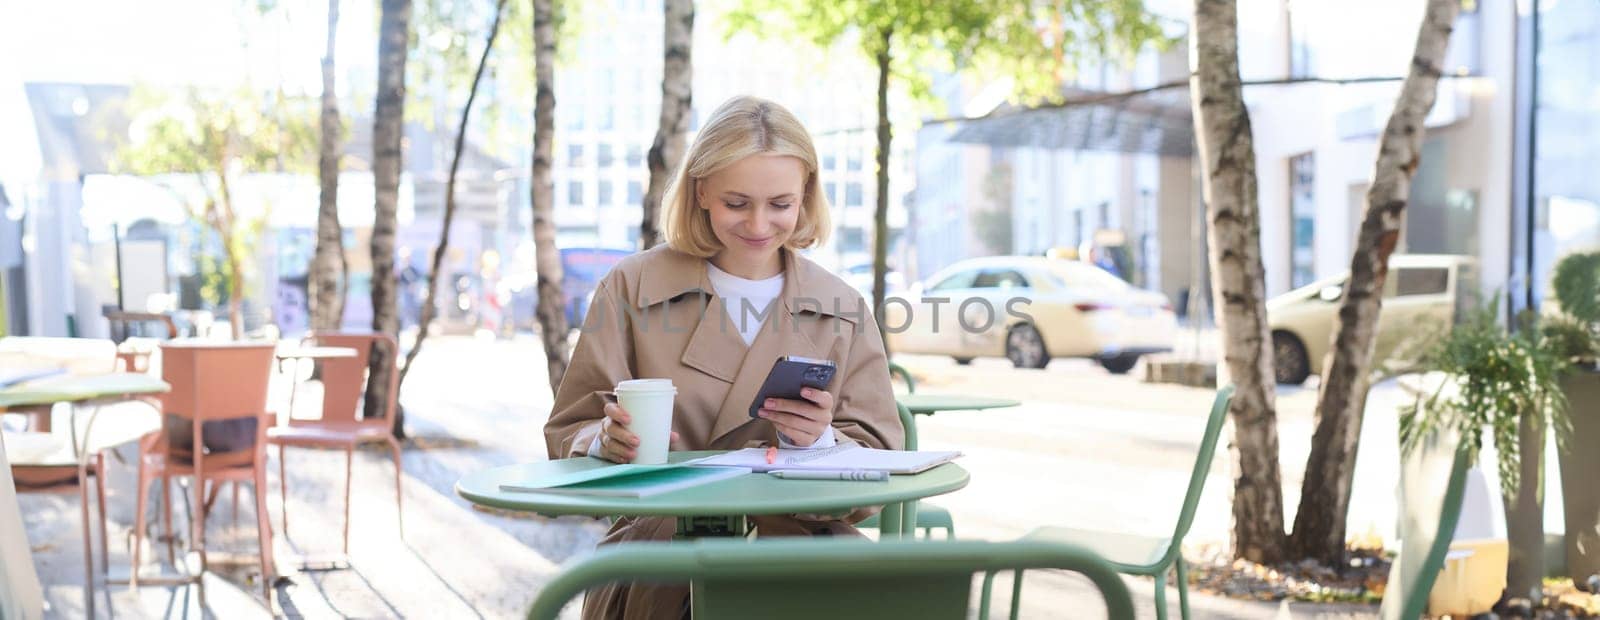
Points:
[(1330, 469)]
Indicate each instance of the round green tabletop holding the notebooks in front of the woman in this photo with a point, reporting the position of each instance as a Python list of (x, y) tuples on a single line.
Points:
[(716, 509)]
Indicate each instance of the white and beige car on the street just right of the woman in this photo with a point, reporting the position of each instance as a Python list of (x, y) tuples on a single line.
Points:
[(1030, 311)]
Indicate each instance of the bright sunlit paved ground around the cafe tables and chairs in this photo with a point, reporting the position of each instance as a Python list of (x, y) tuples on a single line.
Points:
[(1087, 450)]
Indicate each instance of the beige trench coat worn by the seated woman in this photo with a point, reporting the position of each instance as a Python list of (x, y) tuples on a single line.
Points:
[(658, 317)]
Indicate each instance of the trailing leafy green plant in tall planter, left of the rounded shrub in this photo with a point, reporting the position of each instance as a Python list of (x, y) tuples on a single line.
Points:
[(1510, 386)]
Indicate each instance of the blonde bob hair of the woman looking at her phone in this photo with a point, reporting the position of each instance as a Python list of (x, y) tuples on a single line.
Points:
[(740, 129)]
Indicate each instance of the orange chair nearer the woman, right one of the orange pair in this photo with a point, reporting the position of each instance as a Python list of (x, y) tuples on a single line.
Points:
[(342, 426)]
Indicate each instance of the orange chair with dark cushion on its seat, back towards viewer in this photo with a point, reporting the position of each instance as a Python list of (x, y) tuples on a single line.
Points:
[(210, 383)]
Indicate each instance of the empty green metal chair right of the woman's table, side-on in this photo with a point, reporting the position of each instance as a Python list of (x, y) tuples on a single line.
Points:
[(1140, 555)]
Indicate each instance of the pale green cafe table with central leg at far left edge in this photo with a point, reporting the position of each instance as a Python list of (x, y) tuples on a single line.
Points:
[(84, 391)]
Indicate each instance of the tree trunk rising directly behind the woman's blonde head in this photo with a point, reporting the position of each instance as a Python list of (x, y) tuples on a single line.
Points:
[(678, 89)]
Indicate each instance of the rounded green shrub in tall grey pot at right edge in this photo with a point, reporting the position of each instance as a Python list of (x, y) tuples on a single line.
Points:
[(1574, 333)]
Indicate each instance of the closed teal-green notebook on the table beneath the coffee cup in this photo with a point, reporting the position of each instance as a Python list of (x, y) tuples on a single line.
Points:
[(628, 480)]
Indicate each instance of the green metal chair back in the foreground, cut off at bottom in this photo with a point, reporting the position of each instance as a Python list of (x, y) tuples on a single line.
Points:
[(826, 579)]
